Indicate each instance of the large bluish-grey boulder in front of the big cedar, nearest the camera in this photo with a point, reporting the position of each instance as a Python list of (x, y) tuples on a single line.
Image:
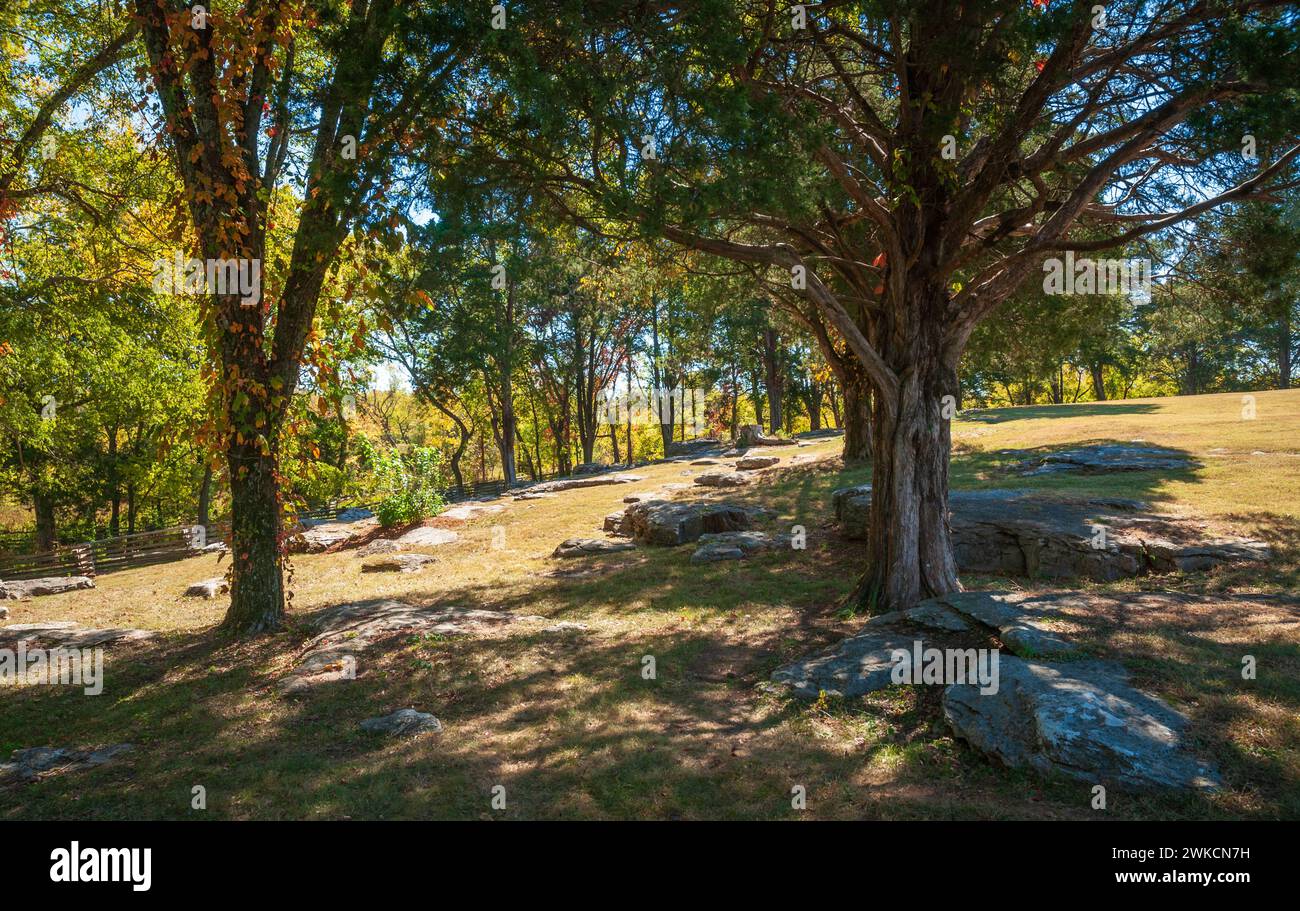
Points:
[(1080, 719)]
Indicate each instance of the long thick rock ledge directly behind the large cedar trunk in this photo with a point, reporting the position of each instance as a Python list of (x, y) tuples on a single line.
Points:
[(1035, 535)]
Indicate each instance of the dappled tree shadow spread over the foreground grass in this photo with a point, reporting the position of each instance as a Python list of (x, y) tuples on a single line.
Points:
[(571, 728)]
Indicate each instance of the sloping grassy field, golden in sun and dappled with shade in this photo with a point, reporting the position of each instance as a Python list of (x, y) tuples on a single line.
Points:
[(570, 728)]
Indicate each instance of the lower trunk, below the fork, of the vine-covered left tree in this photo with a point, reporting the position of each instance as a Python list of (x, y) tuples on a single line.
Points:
[(257, 591)]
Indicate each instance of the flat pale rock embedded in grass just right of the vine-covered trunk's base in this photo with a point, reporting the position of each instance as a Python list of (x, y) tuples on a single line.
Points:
[(346, 631)]
